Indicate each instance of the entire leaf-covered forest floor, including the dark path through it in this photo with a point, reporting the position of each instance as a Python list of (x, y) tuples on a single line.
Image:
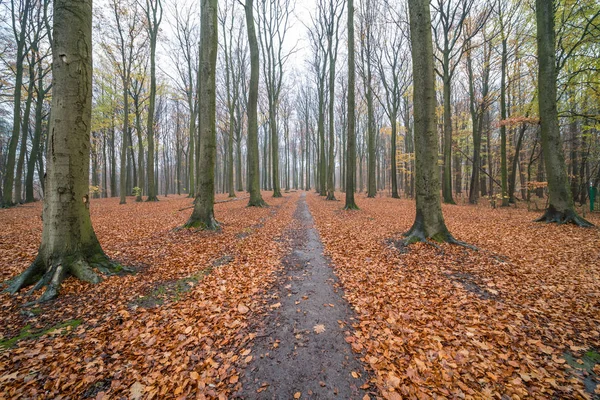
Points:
[(519, 318)]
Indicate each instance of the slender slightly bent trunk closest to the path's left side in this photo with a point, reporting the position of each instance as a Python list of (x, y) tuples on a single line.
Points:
[(256, 199)]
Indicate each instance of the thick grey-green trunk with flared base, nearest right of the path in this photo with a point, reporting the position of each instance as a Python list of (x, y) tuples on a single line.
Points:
[(429, 221)]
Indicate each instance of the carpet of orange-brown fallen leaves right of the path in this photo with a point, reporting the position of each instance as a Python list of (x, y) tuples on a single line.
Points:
[(466, 324)]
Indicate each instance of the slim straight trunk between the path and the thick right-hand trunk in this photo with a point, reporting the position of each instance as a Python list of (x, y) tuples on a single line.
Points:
[(351, 141)]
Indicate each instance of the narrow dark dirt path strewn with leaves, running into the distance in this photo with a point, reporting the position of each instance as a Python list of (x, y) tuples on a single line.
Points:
[(301, 348)]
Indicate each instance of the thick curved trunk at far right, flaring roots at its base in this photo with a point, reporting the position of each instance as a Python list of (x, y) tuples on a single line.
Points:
[(561, 208)]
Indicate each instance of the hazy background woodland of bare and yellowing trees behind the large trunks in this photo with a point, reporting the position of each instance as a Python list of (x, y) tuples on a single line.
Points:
[(145, 124)]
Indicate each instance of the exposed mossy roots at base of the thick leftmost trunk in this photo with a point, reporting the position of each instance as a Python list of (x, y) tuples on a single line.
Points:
[(52, 272)]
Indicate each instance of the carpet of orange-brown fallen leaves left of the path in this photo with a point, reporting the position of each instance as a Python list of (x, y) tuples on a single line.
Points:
[(189, 345)]
